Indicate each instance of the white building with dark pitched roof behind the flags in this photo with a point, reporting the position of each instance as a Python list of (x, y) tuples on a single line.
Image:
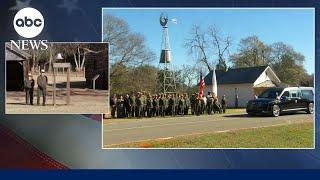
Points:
[(242, 82)]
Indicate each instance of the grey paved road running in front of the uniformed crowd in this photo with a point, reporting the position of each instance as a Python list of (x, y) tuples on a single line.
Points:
[(118, 131)]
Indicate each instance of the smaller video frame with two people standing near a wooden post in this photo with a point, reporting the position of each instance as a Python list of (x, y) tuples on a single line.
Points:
[(62, 78)]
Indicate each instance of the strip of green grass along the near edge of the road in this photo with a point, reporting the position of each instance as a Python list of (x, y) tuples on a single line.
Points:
[(286, 136)]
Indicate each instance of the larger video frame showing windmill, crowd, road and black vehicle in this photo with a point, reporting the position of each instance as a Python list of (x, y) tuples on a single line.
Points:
[(210, 78)]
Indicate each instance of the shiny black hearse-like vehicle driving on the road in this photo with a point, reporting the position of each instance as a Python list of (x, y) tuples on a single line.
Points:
[(275, 101)]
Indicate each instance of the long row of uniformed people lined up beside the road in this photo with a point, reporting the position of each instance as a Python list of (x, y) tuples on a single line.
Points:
[(141, 104)]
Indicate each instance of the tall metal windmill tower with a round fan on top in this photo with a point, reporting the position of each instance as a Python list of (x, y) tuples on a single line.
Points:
[(167, 76)]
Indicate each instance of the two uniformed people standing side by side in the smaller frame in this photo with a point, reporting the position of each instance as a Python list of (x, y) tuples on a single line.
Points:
[(42, 82)]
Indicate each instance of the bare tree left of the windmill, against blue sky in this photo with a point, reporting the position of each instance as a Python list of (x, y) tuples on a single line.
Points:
[(126, 48)]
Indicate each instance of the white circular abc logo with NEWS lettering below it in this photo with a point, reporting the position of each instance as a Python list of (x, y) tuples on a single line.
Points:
[(29, 23)]
